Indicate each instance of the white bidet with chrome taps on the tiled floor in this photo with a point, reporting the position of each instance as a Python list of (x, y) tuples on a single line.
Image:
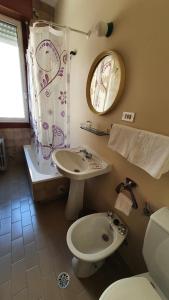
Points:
[(93, 238)]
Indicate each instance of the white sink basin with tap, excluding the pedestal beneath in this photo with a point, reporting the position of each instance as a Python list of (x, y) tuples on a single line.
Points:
[(80, 163)]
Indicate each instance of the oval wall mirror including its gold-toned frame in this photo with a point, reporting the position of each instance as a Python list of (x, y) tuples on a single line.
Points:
[(105, 82)]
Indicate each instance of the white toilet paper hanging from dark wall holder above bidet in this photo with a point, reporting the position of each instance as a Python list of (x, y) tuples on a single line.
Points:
[(123, 204)]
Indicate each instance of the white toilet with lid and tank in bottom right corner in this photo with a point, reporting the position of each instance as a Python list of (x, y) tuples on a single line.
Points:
[(153, 285)]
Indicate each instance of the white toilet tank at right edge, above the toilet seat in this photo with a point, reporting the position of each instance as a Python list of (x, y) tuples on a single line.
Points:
[(156, 248)]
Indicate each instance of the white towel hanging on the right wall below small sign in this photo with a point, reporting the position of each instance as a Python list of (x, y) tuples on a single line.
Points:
[(147, 150)]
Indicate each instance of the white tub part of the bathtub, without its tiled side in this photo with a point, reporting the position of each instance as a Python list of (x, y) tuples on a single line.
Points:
[(37, 174)]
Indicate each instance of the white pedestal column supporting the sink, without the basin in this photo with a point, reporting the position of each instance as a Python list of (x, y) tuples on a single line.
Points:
[(75, 199)]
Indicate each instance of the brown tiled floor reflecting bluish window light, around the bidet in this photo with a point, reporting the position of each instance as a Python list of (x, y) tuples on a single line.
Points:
[(33, 248)]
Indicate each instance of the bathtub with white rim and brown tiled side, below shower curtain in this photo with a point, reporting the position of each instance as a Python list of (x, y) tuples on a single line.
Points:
[(47, 183)]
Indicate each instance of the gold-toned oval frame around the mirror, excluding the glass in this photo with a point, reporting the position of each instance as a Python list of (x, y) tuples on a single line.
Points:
[(90, 76)]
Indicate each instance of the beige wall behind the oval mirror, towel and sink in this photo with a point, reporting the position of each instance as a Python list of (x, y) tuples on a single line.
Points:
[(141, 36)]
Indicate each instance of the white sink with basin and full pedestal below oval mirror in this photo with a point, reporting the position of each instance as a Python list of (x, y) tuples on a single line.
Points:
[(78, 164)]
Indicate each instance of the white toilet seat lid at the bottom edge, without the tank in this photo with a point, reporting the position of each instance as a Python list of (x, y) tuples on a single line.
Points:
[(131, 288)]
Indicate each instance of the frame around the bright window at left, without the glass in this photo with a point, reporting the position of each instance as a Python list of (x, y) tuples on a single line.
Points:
[(24, 120)]
